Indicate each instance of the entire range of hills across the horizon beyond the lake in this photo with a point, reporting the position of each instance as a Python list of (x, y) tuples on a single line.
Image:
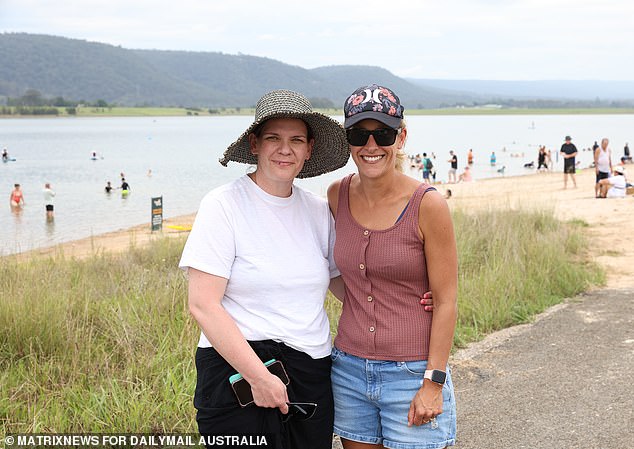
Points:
[(80, 70)]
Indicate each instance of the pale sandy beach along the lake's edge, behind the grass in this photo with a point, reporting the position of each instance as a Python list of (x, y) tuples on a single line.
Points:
[(610, 223)]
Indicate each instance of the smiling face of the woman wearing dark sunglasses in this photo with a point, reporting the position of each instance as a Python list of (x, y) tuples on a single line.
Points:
[(373, 160)]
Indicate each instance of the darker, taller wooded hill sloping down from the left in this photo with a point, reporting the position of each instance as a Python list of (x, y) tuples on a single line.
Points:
[(81, 70)]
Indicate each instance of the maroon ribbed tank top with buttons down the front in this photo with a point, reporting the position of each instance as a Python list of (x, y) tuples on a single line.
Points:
[(385, 275)]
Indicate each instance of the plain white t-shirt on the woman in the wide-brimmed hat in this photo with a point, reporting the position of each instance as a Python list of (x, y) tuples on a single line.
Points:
[(277, 254)]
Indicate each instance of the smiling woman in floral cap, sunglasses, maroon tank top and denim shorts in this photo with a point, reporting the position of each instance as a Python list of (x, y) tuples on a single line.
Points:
[(395, 238)]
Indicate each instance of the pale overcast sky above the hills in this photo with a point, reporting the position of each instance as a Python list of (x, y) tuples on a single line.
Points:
[(462, 39)]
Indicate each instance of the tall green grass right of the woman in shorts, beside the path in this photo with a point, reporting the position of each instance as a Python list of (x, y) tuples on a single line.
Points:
[(514, 265)]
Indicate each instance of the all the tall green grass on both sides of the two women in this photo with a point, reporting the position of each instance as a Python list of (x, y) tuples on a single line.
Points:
[(106, 344)]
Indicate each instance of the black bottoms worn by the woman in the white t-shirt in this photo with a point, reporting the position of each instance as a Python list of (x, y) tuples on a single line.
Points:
[(220, 414)]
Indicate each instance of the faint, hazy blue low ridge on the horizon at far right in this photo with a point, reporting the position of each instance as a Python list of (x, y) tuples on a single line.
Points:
[(546, 89)]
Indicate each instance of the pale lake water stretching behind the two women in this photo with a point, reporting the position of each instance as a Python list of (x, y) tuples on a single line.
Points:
[(183, 152)]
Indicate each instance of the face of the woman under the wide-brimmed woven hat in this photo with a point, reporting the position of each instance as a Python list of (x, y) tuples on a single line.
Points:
[(281, 147)]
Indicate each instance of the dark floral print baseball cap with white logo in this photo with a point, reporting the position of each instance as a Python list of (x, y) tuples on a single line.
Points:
[(373, 102)]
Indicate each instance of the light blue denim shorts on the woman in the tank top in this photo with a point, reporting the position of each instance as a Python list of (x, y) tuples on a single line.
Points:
[(372, 399)]
